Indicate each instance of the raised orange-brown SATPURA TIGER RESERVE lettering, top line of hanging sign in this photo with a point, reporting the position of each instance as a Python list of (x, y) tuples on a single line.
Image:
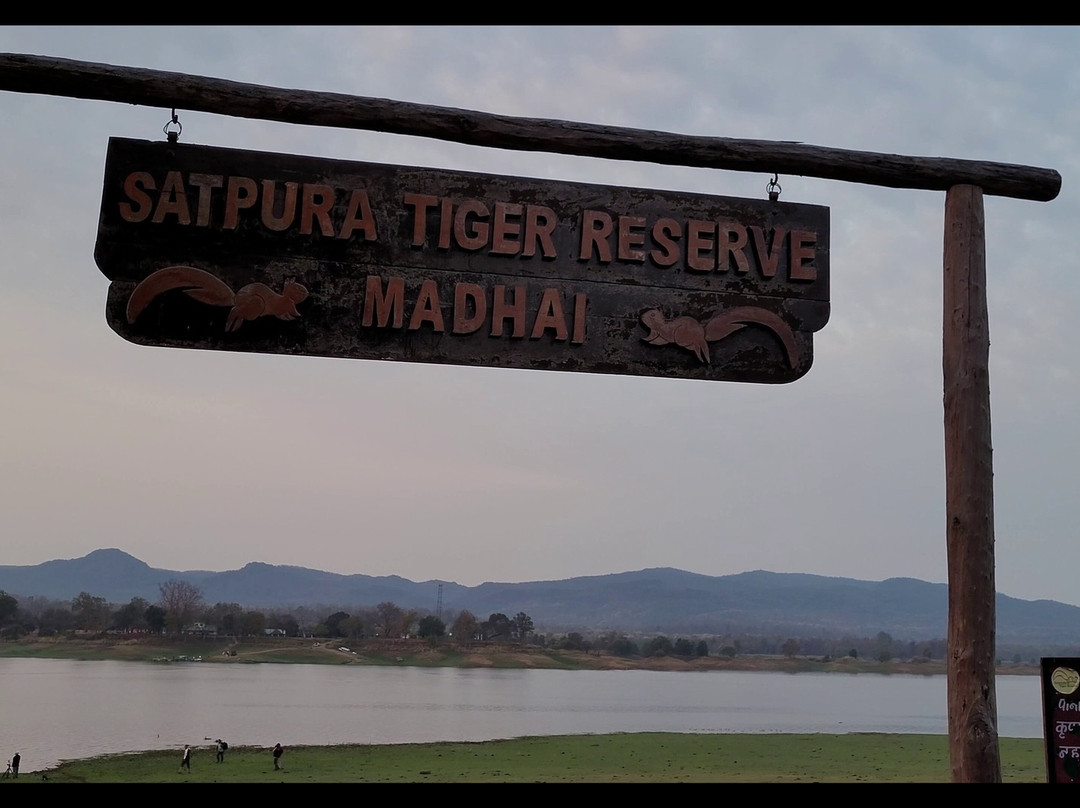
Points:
[(498, 227)]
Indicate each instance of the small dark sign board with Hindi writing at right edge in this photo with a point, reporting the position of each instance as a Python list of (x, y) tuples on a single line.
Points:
[(1061, 718)]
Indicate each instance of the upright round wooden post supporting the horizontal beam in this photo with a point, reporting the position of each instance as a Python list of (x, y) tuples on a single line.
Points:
[(969, 494)]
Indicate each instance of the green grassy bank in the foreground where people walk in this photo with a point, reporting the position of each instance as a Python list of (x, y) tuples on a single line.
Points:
[(605, 759)]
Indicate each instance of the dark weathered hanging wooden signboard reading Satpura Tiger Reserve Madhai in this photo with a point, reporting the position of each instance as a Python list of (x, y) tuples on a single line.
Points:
[(231, 250)]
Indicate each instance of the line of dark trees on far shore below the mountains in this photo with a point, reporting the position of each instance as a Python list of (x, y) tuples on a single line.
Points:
[(181, 610)]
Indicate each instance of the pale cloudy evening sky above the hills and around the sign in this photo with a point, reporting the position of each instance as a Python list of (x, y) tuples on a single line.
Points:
[(193, 460)]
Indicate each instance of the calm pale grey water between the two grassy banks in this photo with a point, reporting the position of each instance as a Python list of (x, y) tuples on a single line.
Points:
[(53, 710)]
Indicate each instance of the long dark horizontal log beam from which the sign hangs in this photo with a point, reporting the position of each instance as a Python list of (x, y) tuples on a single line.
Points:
[(44, 75)]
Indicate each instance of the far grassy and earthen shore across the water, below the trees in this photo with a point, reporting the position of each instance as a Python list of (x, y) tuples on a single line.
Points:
[(421, 653)]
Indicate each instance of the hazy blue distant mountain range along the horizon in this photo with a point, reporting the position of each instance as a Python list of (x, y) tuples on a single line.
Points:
[(660, 600)]
